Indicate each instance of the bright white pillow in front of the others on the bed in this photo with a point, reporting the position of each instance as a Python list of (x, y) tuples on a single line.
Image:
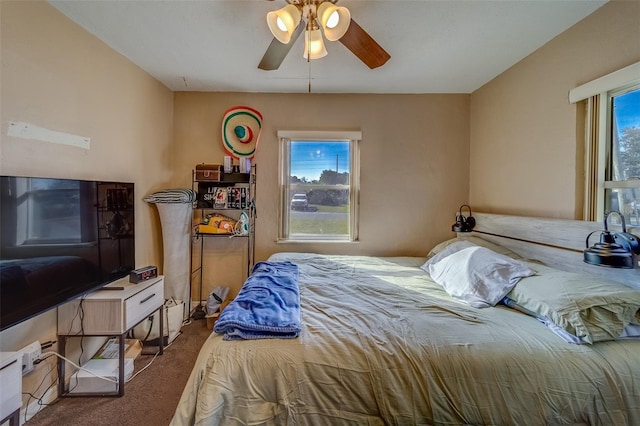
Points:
[(478, 276)]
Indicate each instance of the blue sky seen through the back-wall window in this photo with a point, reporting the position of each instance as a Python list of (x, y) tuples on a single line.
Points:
[(310, 158)]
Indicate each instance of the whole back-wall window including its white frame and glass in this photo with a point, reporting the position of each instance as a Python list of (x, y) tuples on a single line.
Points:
[(318, 186)]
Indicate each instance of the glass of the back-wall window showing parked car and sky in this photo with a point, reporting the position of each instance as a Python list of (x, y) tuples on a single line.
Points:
[(318, 193)]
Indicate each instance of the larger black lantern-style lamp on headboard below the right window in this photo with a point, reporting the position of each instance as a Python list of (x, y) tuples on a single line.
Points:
[(615, 249)]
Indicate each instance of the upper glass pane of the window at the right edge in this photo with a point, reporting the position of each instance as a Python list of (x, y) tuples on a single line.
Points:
[(625, 136)]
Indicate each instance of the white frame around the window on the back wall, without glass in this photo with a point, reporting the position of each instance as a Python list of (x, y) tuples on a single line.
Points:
[(285, 137)]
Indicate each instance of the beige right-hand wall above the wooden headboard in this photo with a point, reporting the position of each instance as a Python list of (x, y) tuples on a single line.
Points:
[(526, 140)]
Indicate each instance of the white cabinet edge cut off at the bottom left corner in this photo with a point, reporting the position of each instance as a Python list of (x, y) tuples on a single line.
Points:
[(10, 387)]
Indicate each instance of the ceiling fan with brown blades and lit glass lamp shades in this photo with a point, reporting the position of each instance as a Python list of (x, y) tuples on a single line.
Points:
[(309, 16)]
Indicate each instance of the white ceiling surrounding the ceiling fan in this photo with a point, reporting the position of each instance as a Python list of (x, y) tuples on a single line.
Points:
[(448, 46)]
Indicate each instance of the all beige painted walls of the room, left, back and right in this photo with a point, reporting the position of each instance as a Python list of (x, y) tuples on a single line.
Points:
[(506, 145)]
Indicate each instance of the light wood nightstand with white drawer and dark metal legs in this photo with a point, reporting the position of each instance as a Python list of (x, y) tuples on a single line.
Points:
[(110, 311)]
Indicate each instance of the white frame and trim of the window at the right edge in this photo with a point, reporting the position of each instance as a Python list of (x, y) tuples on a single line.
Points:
[(599, 94)]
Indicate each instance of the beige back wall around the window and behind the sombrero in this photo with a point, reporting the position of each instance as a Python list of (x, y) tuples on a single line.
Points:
[(414, 166)]
